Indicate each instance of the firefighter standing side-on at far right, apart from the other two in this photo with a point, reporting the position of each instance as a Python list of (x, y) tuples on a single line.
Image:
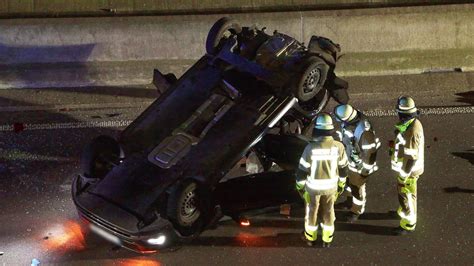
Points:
[(407, 161)]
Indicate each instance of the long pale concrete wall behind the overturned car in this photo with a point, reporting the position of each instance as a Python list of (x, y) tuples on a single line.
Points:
[(376, 33)]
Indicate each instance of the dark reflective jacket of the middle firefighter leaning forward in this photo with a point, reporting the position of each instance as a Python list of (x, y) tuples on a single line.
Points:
[(361, 146)]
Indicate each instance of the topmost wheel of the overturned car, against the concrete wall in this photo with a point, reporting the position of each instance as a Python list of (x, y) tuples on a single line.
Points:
[(219, 30)]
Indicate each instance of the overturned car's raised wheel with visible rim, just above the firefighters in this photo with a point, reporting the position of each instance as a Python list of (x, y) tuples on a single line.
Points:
[(312, 79)]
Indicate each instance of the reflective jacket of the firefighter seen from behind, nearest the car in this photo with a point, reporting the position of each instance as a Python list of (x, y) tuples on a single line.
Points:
[(322, 165)]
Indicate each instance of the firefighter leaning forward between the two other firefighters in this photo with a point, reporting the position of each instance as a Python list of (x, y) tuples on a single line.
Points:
[(358, 136)]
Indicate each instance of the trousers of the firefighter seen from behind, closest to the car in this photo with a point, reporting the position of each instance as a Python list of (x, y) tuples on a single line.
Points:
[(325, 205)]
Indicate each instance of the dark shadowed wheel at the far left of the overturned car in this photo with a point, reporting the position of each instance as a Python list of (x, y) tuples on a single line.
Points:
[(100, 156)]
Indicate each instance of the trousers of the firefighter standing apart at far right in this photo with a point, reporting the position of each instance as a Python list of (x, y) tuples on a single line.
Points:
[(407, 199)]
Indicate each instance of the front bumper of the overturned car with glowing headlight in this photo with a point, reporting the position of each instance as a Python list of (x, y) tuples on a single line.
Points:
[(136, 240)]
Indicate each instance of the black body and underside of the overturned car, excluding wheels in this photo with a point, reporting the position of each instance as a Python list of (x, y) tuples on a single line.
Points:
[(199, 128)]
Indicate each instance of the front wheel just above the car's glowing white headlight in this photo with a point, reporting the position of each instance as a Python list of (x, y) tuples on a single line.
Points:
[(187, 207)]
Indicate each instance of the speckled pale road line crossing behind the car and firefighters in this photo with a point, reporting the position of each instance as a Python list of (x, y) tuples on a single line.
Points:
[(124, 123)]
